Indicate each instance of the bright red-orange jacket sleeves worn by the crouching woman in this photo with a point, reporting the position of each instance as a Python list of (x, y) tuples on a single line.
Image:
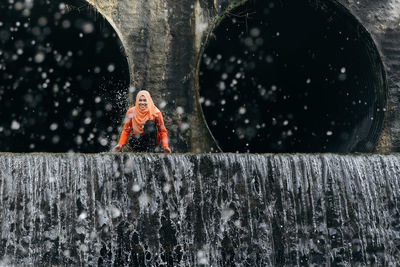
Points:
[(162, 134)]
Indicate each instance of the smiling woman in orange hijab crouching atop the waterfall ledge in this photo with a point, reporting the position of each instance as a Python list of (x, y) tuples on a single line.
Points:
[(147, 125)]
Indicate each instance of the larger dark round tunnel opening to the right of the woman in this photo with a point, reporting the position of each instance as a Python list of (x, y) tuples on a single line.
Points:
[(292, 76)]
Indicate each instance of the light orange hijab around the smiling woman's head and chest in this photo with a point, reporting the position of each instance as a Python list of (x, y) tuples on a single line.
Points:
[(141, 116)]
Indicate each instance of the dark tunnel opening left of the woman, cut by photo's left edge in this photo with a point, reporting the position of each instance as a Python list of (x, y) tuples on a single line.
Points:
[(63, 77)]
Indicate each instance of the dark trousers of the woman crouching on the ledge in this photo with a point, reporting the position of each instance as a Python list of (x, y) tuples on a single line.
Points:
[(147, 141)]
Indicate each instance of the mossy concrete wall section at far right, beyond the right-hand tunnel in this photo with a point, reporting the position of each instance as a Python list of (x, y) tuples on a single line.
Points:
[(381, 18)]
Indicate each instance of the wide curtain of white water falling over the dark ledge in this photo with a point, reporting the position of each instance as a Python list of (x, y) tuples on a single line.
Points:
[(199, 209)]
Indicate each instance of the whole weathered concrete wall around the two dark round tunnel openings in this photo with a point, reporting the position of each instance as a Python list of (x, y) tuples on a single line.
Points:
[(163, 41)]
